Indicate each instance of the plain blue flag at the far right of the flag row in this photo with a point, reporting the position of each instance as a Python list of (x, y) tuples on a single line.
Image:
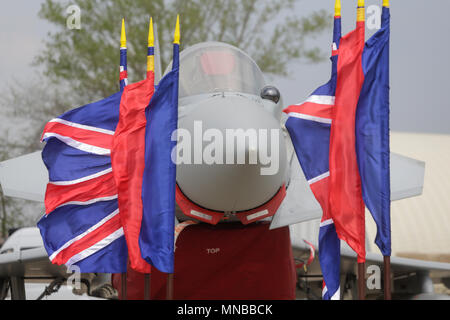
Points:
[(372, 133)]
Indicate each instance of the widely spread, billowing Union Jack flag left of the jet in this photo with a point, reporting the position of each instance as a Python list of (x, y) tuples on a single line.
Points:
[(82, 225)]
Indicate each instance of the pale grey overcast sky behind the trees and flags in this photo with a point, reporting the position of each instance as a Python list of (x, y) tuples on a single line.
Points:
[(420, 64)]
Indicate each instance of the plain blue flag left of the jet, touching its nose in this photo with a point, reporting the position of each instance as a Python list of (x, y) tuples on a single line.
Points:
[(156, 238)]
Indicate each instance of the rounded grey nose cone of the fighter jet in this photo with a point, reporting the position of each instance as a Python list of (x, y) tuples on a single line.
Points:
[(236, 157)]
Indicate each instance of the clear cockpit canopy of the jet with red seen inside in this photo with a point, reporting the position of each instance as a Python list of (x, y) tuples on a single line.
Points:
[(218, 67)]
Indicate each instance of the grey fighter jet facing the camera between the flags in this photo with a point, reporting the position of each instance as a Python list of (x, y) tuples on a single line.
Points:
[(235, 160)]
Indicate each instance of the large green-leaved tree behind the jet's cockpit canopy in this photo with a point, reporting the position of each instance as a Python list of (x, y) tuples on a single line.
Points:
[(270, 31)]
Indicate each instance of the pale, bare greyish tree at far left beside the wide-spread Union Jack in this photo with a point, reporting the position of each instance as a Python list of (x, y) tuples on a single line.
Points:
[(27, 106)]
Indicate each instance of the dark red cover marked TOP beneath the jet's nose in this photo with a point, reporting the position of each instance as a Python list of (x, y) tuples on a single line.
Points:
[(228, 261)]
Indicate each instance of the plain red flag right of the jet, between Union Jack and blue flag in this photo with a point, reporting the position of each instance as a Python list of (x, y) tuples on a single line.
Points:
[(347, 205)]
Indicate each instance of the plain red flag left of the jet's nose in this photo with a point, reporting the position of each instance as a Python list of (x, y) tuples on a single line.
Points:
[(128, 155)]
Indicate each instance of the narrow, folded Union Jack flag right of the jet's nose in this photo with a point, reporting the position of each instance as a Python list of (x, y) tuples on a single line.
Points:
[(309, 125)]
